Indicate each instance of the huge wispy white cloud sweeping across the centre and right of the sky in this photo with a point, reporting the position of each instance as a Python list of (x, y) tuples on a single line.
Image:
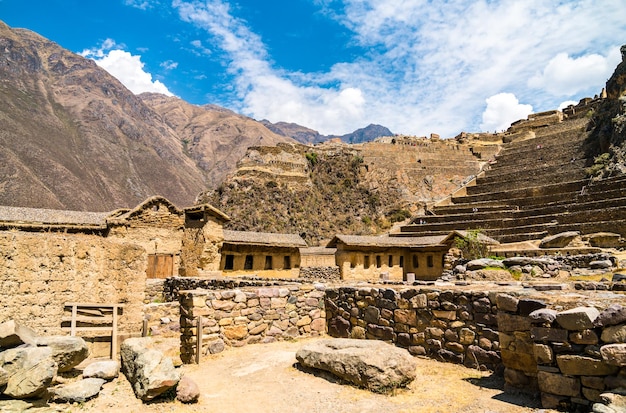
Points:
[(426, 66)]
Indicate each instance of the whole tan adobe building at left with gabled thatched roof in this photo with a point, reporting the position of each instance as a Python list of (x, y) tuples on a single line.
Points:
[(49, 258)]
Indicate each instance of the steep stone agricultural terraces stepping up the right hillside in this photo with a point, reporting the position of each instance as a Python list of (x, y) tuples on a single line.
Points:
[(537, 187)]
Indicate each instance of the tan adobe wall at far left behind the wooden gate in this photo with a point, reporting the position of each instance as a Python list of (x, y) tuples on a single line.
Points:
[(40, 272)]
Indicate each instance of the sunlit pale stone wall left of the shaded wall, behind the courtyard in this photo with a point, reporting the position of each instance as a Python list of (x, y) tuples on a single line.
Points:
[(249, 315)]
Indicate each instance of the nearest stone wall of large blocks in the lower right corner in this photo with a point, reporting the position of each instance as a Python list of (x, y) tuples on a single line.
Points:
[(571, 356)]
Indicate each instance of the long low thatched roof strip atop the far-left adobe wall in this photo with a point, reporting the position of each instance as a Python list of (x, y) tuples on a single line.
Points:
[(22, 217)]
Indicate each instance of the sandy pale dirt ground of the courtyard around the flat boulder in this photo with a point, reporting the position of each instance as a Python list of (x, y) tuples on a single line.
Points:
[(264, 378)]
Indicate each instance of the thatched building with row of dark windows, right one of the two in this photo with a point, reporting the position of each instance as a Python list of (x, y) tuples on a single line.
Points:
[(367, 257)]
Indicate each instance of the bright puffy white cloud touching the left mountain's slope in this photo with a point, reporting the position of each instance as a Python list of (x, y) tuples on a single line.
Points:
[(127, 68)]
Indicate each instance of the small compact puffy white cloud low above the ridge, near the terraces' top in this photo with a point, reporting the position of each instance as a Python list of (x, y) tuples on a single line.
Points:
[(502, 110)]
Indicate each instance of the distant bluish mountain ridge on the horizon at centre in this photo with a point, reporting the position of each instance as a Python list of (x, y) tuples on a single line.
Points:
[(309, 136)]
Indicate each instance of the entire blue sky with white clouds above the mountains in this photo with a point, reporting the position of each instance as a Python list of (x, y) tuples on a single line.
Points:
[(414, 66)]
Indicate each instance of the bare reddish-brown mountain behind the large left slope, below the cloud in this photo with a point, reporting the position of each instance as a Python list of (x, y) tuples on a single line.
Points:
[(214, 137)]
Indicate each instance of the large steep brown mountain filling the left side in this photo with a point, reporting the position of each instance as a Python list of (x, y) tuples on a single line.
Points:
[(73, 137)]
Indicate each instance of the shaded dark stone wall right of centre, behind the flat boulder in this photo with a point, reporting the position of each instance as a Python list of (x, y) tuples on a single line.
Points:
[(452, 326)]
